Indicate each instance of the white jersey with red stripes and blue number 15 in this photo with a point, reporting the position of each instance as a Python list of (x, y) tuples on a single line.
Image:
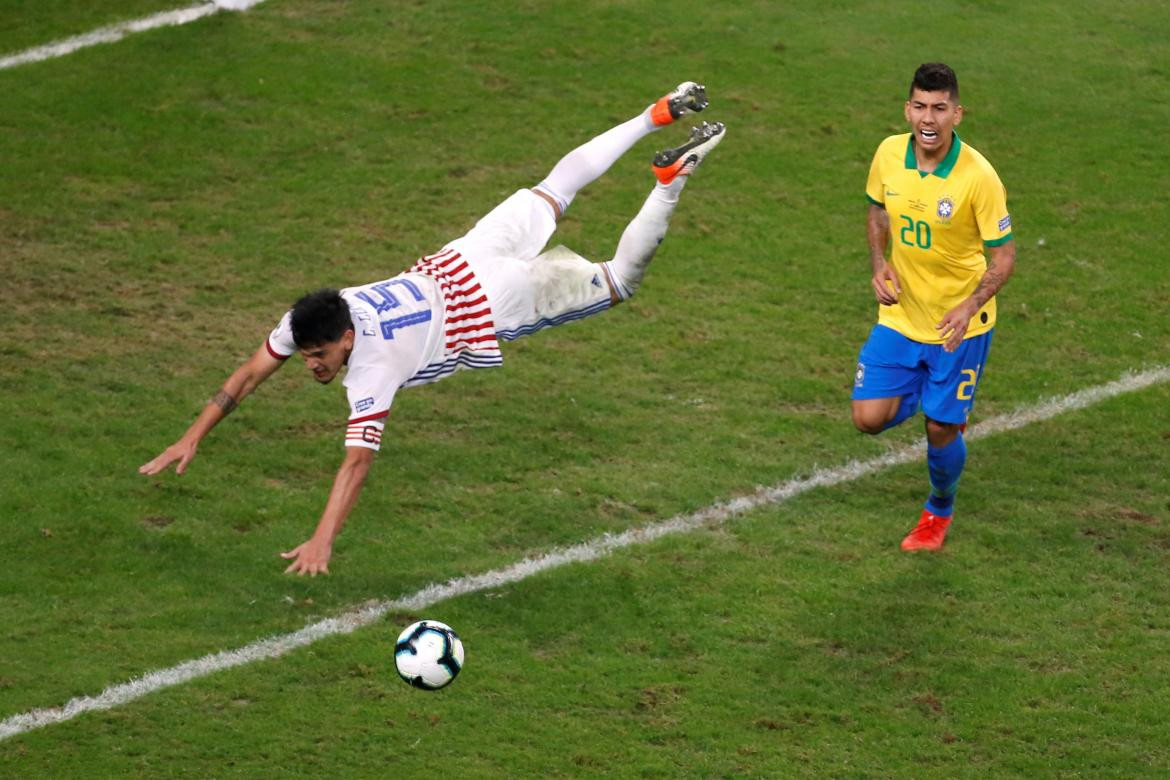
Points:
[(414, 329)]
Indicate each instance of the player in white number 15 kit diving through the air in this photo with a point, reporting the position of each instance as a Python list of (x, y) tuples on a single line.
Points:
[(451, 310)]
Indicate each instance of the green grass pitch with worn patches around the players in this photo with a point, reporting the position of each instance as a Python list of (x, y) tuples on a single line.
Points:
[(166, 198)]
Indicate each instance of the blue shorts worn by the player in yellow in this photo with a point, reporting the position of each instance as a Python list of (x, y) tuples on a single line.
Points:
[(892, 365)]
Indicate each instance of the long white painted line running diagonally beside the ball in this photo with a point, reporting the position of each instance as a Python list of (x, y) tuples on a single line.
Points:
[(598, 548)]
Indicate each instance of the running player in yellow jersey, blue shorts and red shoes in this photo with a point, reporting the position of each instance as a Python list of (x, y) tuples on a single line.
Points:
[(941, 211)]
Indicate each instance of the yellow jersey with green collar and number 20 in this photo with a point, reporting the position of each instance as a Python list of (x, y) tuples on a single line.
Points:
[(939, 223)]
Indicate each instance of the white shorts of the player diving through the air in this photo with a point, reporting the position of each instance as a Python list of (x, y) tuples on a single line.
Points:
[(529, 291)]
